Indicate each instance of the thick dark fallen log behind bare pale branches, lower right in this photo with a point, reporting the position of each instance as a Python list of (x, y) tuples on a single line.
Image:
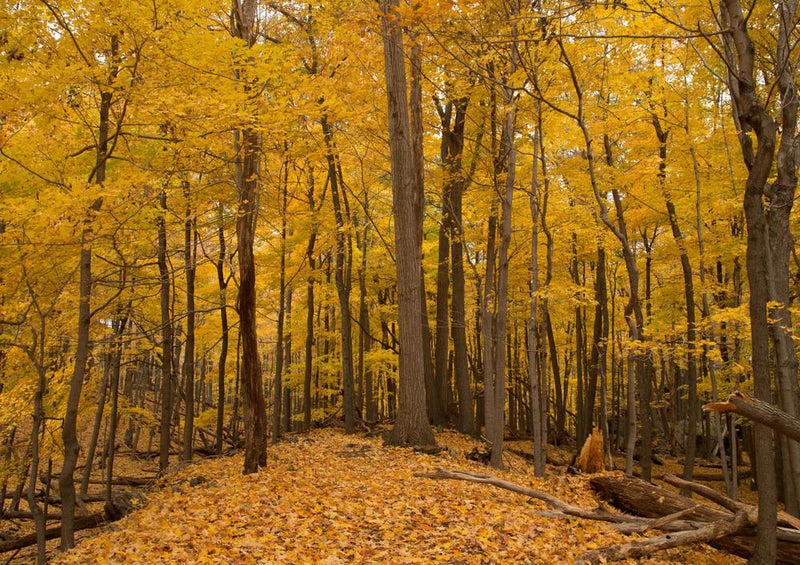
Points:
[(644, 499)]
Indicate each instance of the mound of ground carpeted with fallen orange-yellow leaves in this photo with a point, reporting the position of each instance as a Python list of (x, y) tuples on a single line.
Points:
[(328, 498)]
